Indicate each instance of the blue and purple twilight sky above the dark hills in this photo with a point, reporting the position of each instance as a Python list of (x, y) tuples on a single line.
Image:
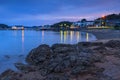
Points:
[(40, 12)]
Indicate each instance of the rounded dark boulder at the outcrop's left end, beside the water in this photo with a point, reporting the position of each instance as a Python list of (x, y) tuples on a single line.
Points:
[(38, 55)]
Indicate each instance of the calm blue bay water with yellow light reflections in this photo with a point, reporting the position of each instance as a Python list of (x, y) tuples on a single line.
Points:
[(15, 44)]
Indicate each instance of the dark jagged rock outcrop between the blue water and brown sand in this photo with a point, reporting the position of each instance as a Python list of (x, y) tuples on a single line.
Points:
[(66, 58)]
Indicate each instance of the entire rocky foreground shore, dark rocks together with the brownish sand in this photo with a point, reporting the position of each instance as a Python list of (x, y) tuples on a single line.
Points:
[(81, 61)]
